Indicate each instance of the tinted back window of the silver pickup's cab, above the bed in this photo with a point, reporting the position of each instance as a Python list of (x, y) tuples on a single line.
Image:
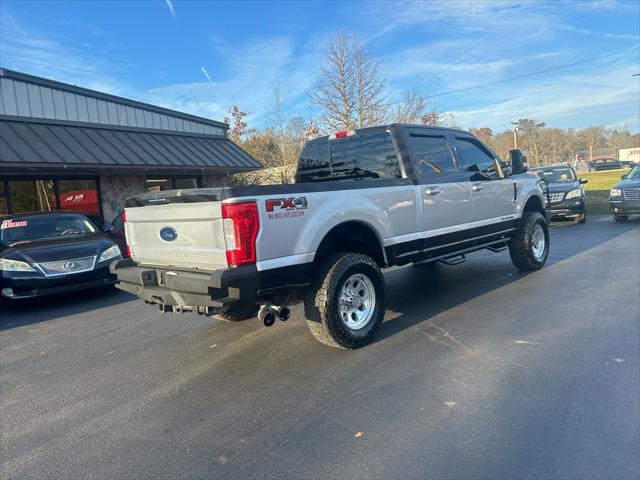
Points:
[(363, 156)]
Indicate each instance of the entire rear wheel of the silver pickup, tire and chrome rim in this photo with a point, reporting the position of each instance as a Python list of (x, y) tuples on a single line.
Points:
[(345, 303)]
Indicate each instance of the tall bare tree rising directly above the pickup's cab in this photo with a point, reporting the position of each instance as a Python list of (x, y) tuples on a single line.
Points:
[(349, 90)]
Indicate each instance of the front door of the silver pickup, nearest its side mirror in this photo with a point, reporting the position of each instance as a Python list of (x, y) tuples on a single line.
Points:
[(493, 195)]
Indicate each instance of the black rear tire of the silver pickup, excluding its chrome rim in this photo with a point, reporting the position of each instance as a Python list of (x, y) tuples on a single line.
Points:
[(322, 299)]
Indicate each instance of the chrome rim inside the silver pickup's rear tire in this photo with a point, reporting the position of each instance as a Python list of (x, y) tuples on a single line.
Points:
[(357, 301)]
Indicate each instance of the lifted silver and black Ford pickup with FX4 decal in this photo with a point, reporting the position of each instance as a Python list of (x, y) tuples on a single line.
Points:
[(363, 200)]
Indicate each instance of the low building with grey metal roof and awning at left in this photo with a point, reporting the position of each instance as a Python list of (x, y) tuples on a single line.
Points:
[(64, 147)]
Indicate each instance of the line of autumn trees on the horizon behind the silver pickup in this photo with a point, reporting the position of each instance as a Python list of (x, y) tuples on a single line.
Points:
[(350, 93)]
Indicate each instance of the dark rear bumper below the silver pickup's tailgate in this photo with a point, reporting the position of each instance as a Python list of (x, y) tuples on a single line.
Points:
[(186, 289)]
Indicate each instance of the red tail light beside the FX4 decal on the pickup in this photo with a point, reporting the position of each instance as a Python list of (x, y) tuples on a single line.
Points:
[(241, 225)]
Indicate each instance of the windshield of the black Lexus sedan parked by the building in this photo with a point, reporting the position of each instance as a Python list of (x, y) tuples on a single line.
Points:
[(44, 226)]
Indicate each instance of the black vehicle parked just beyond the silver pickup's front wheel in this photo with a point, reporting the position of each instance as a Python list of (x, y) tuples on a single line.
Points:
[(566, 194)]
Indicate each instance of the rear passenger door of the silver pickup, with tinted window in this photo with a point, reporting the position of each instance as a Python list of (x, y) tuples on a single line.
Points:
[(444, 191)]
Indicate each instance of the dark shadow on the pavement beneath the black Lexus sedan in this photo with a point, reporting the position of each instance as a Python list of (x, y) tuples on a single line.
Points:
[(17, 313)]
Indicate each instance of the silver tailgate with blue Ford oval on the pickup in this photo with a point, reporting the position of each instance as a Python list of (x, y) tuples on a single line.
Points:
[(177, 235)]
